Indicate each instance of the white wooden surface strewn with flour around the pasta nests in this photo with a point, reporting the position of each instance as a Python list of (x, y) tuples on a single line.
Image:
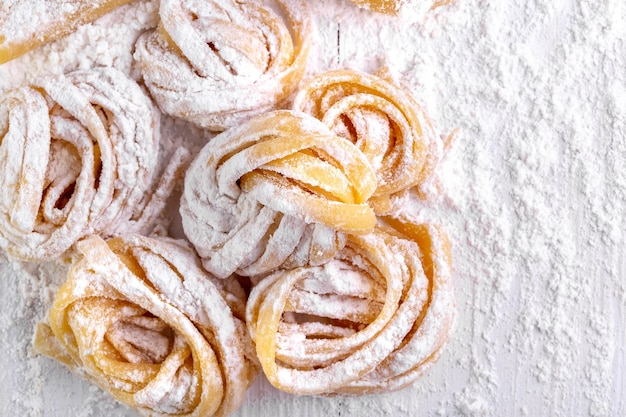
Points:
[(534, 200)]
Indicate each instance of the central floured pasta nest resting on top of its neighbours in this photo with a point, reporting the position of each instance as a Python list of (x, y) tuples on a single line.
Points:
[(278, 191)]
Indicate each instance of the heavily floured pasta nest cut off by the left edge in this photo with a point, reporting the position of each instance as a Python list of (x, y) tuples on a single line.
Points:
[(78, 155)]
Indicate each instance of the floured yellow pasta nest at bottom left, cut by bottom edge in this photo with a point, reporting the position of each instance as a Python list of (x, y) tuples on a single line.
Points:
[(140, 318)]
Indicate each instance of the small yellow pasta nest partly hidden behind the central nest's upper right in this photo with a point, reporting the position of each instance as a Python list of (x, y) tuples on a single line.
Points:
[(383, 120)]
